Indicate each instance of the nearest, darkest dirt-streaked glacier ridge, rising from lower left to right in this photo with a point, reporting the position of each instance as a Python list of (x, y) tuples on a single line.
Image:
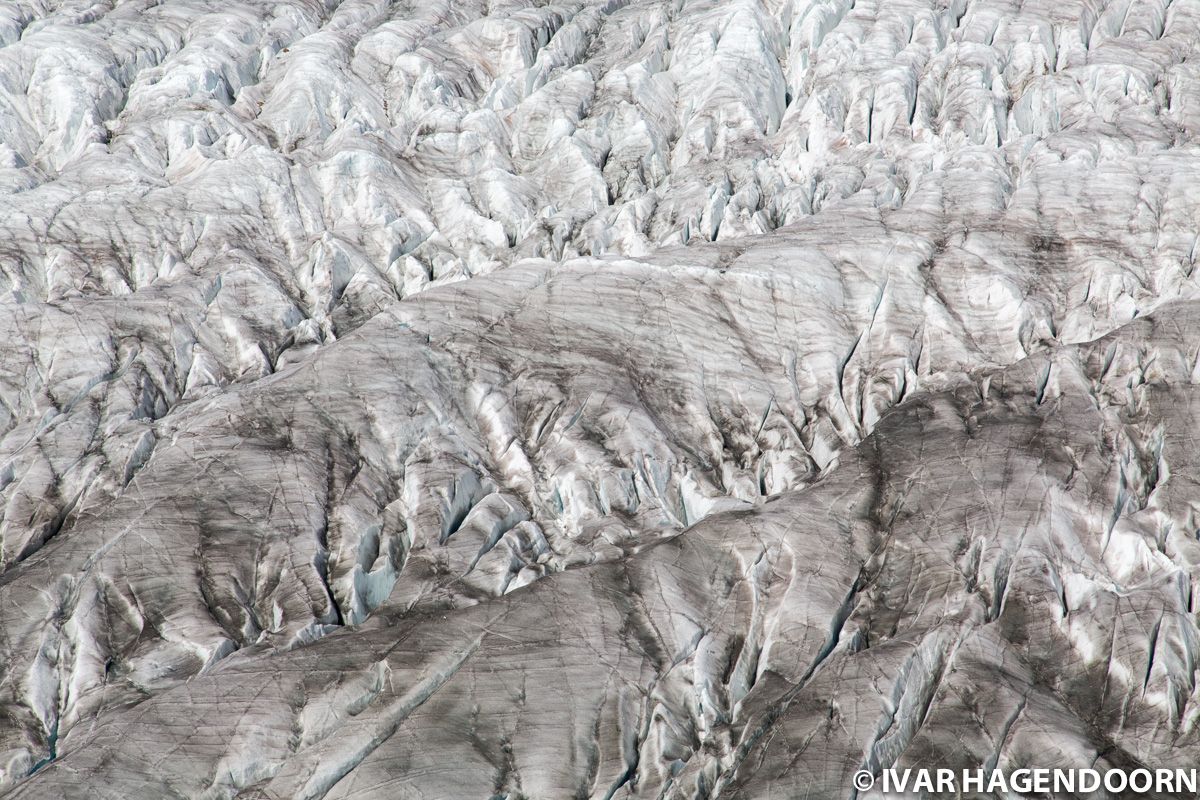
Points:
[(999, 575)]
